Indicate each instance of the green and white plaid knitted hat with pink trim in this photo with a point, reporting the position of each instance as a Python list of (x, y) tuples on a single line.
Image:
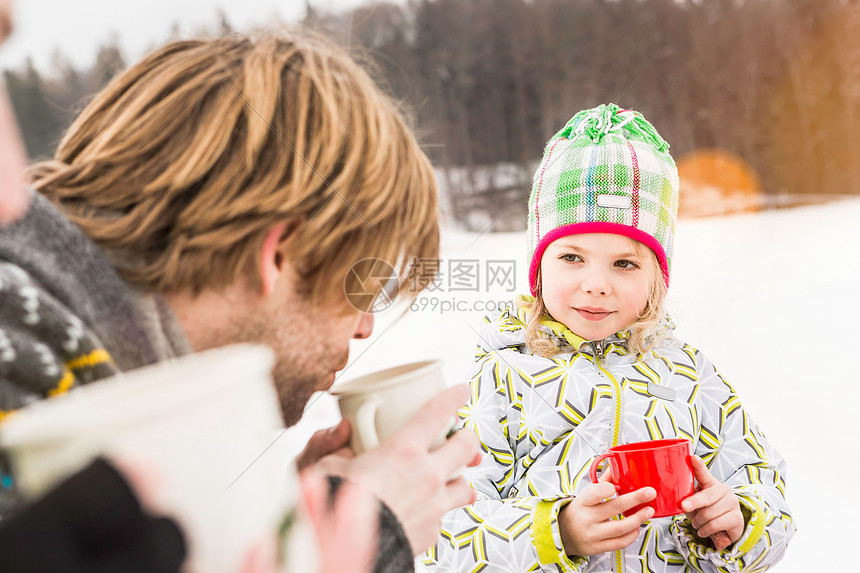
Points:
[(606, 171)]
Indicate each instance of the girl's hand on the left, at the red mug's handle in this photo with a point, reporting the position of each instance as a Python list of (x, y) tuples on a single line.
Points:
[(586, 523)]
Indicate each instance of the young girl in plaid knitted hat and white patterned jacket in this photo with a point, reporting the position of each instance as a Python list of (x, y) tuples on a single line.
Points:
[(588, 363)]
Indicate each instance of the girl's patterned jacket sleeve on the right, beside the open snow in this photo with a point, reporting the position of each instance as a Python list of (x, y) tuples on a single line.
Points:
[(738, 454)]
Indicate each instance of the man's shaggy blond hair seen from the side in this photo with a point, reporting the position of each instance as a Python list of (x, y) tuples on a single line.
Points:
[(180, 166)]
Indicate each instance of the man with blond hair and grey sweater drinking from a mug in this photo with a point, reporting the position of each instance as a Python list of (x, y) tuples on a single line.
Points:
[(218, 191)]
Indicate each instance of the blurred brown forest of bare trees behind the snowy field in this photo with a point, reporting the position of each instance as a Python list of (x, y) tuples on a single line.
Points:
[(775, 82)]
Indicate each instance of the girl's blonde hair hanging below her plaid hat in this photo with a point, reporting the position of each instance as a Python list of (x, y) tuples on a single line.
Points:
[(643, 334)]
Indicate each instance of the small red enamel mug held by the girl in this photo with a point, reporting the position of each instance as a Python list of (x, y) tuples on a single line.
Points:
[(662, 464)]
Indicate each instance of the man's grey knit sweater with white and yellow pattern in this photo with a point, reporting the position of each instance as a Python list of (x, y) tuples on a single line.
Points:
[(67, 318)]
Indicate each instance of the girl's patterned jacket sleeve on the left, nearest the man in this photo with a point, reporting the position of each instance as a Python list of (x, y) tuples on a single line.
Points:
[(500, 531)]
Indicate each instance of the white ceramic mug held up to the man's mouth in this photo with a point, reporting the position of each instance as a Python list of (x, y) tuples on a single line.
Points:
[(380, 403)]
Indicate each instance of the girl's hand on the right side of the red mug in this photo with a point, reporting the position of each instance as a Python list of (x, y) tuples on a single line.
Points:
[(714, 507)]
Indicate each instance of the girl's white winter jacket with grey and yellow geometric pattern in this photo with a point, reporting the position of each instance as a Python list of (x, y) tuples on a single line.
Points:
[(542, 421)]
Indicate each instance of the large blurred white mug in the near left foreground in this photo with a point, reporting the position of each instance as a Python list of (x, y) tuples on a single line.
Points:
[(195, 427)]
